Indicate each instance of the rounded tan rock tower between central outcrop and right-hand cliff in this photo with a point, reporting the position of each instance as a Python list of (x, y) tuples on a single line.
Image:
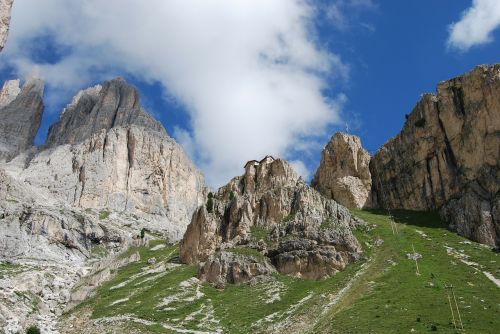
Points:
[(344, 174)]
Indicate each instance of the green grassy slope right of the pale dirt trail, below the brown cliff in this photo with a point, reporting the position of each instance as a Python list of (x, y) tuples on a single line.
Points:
[(391, 298)]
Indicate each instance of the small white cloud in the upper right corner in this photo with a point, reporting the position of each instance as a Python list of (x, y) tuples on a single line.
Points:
[(476, 25)]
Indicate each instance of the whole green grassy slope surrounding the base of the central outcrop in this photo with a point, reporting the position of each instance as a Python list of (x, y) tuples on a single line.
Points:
[(380, 295)]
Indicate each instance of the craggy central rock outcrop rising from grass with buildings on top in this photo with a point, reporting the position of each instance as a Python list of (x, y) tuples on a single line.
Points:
[(272, 211)]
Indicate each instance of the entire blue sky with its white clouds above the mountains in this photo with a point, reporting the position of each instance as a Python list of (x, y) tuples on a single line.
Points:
[(360, 62)]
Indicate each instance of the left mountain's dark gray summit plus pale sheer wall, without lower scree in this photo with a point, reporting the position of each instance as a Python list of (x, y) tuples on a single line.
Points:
[(105, 152)]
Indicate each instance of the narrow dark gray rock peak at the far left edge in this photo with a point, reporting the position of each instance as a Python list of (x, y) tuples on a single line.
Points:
[(21, 112)]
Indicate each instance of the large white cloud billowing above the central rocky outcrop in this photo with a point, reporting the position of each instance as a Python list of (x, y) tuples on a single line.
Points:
[(249, 72)]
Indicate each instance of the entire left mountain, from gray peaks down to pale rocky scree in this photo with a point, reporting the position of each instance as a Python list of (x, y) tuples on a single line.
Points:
[(70, 207)]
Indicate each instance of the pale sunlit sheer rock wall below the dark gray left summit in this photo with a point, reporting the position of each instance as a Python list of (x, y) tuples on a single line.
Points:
[(124, 169)]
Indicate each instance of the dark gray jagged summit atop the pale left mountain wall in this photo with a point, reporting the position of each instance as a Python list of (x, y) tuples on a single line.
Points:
[(114, 103)]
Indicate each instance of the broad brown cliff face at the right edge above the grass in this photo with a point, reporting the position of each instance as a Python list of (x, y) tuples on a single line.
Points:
[(447, 156)]
